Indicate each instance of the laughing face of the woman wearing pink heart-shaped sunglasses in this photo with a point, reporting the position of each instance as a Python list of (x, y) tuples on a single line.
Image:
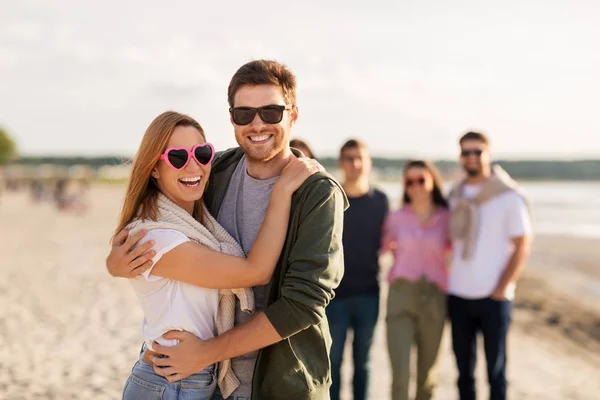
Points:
[(185, 186)]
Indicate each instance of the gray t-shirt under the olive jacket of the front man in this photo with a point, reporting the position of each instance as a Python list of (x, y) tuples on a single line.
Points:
[(241, 214)]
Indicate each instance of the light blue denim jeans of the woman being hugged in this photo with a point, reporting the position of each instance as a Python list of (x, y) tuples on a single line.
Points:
[(144, 383)]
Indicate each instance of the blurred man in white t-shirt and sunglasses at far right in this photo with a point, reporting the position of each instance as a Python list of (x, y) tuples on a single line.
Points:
[(489, 254)]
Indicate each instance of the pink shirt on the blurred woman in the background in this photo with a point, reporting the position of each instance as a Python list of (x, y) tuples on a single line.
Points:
[(419, 250)]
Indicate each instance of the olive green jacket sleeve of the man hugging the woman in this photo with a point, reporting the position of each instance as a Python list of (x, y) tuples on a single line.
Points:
[(316, 262)]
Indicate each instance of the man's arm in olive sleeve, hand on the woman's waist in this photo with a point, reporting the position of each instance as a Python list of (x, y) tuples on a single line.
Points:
[(316, 267)]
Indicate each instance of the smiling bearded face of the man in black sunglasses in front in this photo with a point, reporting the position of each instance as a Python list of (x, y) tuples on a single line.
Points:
[(260, 141)]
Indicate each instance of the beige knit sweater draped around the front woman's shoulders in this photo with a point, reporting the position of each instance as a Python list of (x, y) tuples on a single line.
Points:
[(171, 216)]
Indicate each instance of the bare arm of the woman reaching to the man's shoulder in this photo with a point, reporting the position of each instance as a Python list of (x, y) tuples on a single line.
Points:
[(201, 266)]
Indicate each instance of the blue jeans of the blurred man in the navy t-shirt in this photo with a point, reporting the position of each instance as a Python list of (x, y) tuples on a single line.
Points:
[(358, 313)]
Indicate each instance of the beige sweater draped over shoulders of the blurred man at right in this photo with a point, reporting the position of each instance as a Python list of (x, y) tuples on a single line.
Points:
[(464, 220)]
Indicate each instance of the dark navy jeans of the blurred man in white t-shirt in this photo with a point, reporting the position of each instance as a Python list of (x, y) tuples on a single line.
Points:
[(492, 318)]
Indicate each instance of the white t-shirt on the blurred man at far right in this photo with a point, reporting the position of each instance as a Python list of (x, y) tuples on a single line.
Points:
[(500, 220)]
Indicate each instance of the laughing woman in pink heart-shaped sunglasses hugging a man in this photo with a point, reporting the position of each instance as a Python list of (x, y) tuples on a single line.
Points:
[(198, 270)]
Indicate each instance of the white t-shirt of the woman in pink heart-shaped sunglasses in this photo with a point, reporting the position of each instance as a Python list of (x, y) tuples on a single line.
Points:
[(169, 304)]
